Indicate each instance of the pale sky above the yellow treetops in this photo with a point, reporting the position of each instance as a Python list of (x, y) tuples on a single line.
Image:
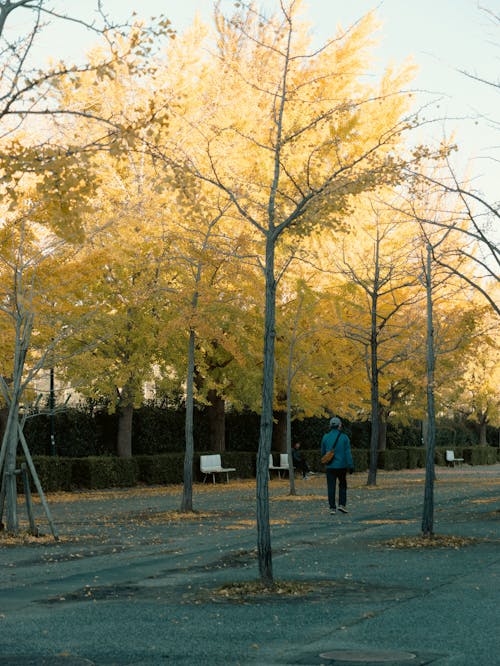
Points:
[(442, 36)]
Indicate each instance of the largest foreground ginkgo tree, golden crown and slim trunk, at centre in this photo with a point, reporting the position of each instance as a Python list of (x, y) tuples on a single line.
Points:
[(290, 134)]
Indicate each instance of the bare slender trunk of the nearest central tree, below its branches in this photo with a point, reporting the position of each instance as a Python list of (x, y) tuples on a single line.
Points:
[(266, 422)]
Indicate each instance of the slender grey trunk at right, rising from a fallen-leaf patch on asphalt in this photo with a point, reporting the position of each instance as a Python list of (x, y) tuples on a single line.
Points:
[(428, 512)]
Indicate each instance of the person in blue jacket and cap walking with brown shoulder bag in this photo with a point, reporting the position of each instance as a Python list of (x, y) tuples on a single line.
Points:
[(338, 467)]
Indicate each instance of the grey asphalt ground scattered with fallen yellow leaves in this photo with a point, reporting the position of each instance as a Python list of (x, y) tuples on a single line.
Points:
[(133, 582)]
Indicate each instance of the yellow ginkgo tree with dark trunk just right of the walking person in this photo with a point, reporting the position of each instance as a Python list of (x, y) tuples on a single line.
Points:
[(381, 281)]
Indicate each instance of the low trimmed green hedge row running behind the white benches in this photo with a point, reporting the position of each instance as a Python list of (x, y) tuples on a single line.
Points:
[(98, 472)]
